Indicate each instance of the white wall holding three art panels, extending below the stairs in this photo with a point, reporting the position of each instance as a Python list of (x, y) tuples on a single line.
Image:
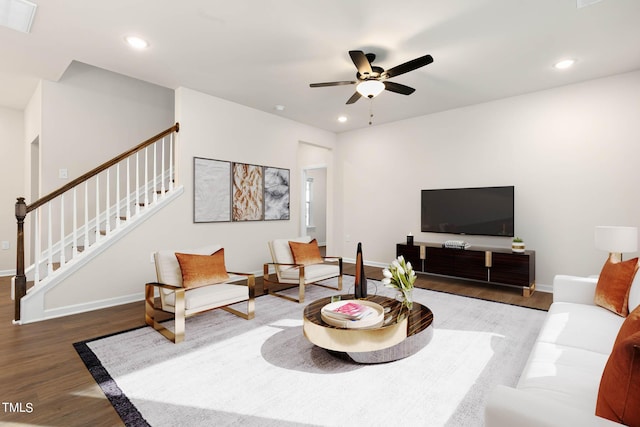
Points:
[(210, 128)]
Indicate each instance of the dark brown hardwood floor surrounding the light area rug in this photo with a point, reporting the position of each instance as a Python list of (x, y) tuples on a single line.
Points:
[(40, 367)]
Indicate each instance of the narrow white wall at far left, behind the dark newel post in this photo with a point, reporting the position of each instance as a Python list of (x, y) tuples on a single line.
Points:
[(11, 181)]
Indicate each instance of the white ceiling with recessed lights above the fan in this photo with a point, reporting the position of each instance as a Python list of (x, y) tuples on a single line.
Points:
[(265, 53)]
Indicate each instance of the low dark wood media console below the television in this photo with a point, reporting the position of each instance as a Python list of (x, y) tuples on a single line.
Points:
[(491, 265)]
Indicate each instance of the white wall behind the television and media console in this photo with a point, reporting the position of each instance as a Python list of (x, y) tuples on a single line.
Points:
[(571, 152)]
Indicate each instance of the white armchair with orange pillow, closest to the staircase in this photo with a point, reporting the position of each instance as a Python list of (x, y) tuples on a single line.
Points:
[(193, 281)]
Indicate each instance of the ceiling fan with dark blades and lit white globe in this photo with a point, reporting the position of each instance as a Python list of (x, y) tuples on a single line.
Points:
[(372, 80)]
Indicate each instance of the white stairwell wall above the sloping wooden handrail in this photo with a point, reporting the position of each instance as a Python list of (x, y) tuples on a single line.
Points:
[(91, 115)]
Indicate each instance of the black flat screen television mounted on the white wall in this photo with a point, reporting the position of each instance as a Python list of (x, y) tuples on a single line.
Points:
[(486, 211)]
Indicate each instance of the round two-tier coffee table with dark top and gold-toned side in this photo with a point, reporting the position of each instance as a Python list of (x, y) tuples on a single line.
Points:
[(402, 333)]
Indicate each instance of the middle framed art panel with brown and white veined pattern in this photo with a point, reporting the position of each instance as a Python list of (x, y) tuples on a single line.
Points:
[(247, 200)]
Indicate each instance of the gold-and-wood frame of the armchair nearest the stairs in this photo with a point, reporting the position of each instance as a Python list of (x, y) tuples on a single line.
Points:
[(180, 315)]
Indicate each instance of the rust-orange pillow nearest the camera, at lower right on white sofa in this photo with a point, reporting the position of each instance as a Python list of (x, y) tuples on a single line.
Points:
[(619, 392)]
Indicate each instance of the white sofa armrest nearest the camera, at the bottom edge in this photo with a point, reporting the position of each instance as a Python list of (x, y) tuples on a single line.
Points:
[(507, 407)]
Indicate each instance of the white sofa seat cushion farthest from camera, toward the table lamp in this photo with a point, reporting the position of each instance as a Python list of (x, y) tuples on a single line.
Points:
[(588, 327)]
